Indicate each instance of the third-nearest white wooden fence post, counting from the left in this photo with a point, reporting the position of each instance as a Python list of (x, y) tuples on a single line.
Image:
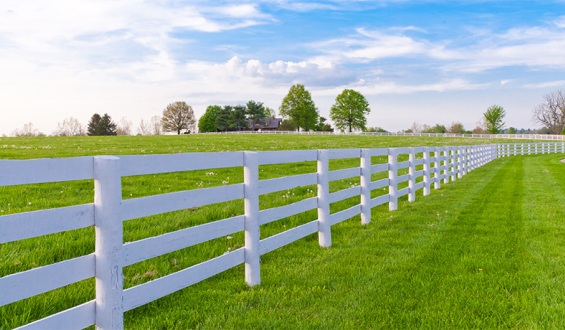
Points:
[(324, 227)]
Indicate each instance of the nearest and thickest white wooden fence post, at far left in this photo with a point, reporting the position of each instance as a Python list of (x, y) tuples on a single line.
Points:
[(108, 243)]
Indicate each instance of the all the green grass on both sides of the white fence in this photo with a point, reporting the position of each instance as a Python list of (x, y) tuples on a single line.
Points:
[(486, 251)]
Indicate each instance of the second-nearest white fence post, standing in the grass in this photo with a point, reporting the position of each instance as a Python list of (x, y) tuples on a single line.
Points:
[(251, 202)]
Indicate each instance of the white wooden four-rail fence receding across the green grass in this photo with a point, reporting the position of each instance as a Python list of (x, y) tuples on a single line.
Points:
[(426, 167)]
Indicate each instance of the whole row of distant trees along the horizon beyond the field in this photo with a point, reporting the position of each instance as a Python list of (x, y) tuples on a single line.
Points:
[(298, 112)]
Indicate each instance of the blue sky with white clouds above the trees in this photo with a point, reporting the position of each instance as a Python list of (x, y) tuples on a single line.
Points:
[(415, 61)]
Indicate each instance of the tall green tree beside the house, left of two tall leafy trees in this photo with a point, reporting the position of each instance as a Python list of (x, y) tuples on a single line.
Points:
[(298, 106)]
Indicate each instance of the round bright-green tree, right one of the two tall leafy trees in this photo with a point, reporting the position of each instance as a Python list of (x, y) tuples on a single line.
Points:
[(349, 111)]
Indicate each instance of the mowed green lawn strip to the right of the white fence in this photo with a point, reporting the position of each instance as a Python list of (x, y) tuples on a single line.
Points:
[(487, 251)]
